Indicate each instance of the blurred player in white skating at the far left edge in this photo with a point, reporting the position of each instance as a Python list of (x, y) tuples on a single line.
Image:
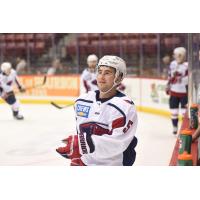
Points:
[(8, 77)]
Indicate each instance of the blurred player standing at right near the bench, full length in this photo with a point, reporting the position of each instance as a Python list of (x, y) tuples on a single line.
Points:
[(177, 85)]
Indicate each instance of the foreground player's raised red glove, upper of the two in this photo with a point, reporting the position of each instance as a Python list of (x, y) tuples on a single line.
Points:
[(71, 150)]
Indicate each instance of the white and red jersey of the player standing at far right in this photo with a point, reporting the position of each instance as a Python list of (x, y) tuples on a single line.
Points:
[(178, 78)]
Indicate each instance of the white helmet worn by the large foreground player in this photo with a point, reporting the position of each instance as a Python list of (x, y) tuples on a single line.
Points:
[(114, 62)]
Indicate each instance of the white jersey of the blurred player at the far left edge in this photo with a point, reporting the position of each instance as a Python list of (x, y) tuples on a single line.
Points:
[(6, 82)]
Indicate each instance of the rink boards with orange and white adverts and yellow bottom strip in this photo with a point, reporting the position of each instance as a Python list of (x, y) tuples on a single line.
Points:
[(148, 94)]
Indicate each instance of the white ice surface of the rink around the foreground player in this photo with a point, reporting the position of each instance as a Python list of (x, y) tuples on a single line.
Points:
[(33, 141)]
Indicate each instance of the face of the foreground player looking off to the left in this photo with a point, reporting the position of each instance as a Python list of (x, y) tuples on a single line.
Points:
[(105, 78)]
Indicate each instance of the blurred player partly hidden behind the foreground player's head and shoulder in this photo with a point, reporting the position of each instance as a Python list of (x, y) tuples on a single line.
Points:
[(88, 76)]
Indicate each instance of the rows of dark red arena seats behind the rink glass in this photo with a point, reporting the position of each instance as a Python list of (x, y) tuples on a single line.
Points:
[(127, 45)]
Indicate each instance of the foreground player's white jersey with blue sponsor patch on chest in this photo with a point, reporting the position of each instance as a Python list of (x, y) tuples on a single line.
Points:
[(106, 129)]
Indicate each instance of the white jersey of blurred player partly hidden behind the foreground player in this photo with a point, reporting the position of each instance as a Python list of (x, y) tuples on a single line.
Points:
[(89, 80)]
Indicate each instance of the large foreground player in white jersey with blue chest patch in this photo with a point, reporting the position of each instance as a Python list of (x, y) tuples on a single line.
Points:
[(106, 121)]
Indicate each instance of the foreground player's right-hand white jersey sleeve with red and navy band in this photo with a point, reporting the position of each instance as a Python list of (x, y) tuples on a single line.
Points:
[(121, 132)]
